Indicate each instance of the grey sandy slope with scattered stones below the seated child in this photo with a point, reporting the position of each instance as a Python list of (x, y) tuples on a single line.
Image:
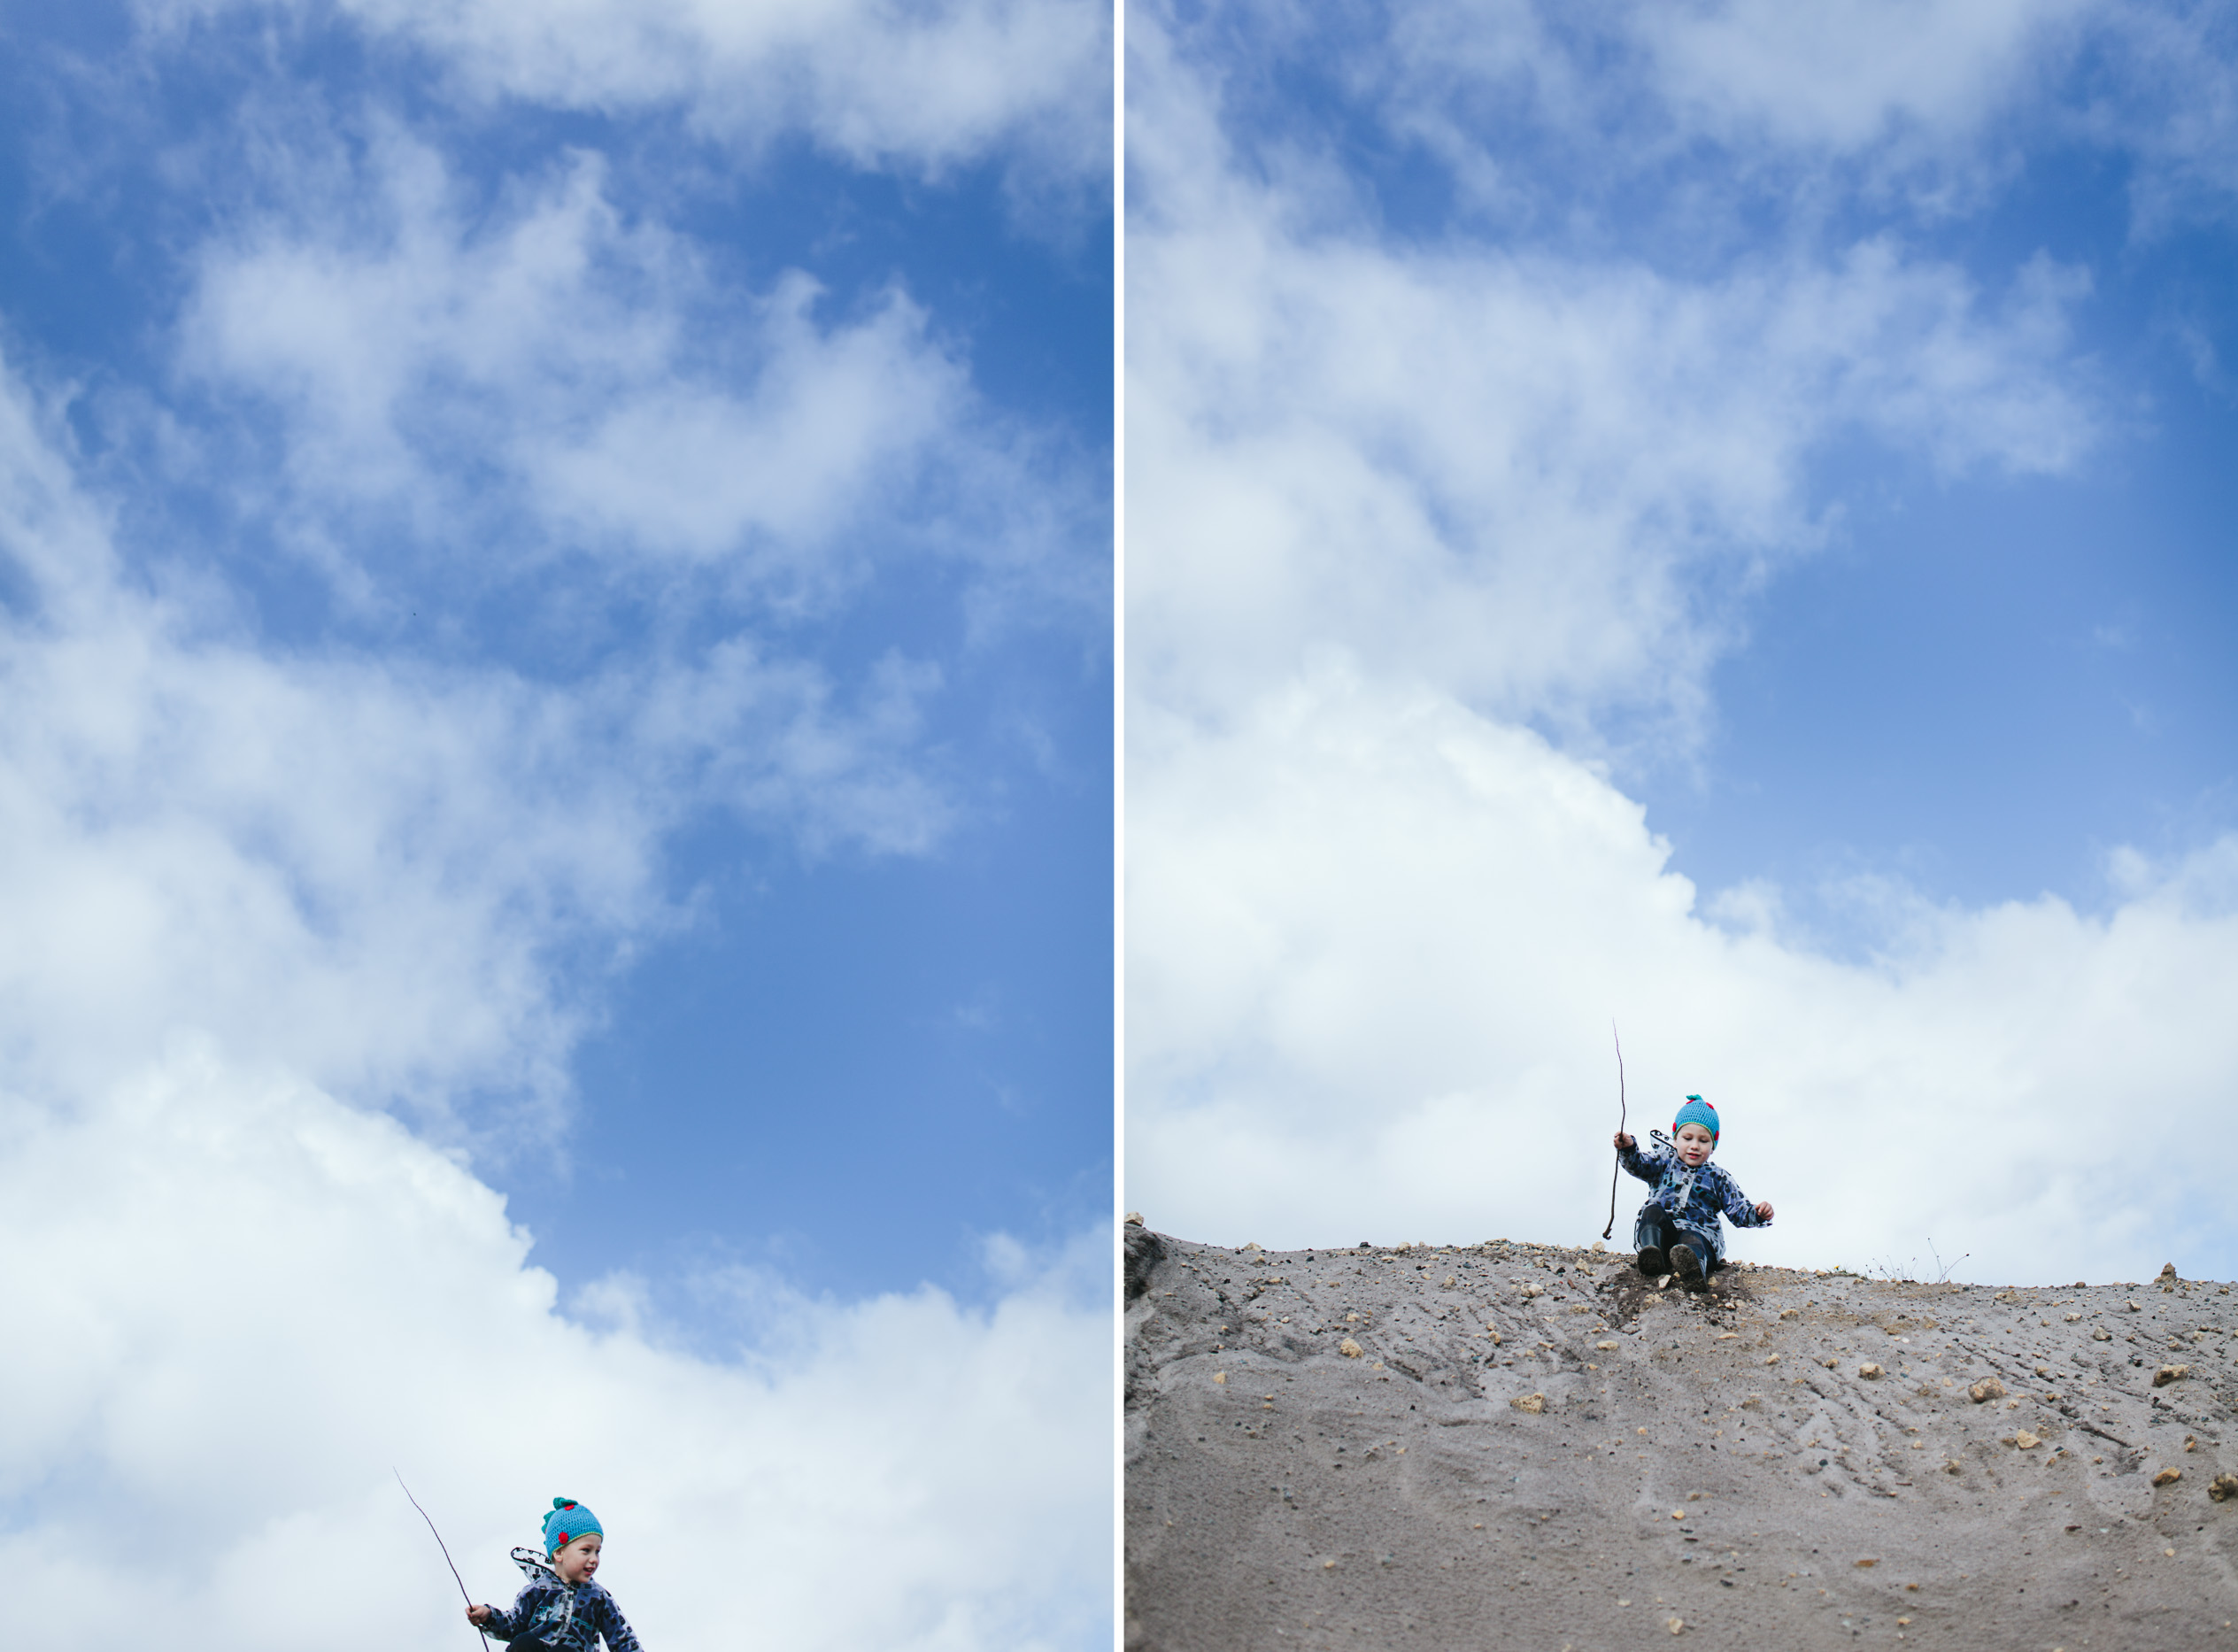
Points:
[(1281, 1494)]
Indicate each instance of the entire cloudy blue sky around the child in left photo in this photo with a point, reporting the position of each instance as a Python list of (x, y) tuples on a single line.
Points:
[(558, 800)]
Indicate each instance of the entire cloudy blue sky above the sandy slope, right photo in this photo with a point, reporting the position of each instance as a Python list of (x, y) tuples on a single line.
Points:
[(1711, 516)]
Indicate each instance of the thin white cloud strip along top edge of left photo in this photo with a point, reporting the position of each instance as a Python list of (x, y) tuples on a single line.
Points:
[(921, 88)]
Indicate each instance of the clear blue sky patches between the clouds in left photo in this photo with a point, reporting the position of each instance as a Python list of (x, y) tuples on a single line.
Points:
[(847, 1062)]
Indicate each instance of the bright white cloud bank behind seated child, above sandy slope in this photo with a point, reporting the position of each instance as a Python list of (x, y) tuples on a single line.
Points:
[(1375, 944)]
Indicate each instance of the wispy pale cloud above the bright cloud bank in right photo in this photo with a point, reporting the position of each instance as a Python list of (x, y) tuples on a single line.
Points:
[(1534, 480)]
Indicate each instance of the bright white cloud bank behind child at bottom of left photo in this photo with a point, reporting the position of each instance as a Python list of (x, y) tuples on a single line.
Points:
[(238, 1304)]
